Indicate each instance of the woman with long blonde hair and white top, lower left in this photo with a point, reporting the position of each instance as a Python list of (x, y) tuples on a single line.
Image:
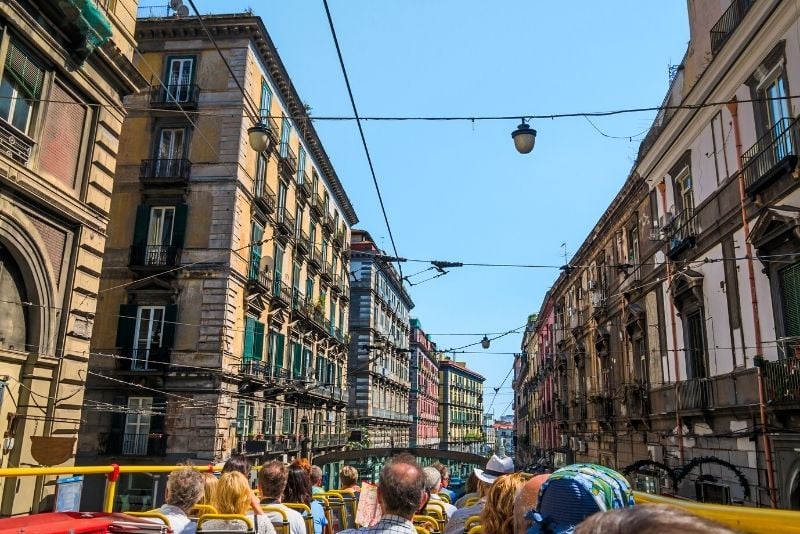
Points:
[(233, 496)]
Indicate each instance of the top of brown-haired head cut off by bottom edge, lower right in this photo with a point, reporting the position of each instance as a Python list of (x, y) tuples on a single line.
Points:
[(649, 519)]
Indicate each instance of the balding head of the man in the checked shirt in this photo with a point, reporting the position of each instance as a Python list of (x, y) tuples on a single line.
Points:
[(400, 488)]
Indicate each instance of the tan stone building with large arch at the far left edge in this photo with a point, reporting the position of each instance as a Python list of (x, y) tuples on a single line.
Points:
[(65, 68)]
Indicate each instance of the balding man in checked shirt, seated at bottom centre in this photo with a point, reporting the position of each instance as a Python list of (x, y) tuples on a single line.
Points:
[(400, 490)]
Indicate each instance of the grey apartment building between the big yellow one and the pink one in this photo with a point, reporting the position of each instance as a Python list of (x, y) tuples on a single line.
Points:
[(379, 354)]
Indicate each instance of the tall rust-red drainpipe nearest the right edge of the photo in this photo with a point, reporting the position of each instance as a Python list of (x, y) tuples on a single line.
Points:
[(733, 106)]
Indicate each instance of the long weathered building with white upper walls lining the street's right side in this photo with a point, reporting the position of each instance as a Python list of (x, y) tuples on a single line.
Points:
[(675, 337)]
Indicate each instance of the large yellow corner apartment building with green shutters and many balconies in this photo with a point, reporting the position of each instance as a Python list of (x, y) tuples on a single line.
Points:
[(222, 326)]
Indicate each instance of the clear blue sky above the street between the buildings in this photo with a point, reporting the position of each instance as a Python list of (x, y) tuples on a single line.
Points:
[(458, 191)]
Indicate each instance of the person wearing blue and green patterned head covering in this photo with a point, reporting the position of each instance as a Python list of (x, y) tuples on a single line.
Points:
[(573, 493)]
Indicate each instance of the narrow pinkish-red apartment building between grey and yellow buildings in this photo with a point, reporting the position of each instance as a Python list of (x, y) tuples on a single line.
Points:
[(424, 395)]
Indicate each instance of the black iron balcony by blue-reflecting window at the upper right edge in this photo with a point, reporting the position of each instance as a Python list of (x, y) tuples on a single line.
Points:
[(772, 156)]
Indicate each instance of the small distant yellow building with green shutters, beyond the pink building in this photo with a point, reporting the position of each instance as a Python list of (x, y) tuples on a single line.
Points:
[(460, 407)]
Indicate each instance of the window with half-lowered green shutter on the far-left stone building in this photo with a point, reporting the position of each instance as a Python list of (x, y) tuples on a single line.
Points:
[(21, 86)]
